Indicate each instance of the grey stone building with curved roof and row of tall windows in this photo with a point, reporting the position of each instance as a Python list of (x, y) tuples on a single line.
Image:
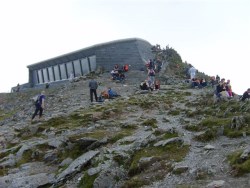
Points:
[(134, 52)]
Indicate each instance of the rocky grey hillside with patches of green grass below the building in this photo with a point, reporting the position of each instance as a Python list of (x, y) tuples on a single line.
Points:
[(174, 137)]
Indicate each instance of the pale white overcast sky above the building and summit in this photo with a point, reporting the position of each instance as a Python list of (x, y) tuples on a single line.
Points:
[(212, 35)]
